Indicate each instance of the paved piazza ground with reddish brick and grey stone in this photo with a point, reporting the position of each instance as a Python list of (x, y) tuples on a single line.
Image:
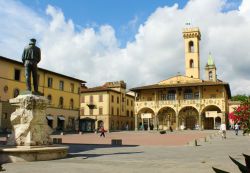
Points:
[(143, 152)]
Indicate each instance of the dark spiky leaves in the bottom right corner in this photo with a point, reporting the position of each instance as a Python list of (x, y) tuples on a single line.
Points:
[(242, 168)]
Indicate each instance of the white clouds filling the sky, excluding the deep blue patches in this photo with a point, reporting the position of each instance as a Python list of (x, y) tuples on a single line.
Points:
[(157, 52)]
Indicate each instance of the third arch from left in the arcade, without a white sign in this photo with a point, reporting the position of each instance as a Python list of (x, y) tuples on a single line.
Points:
[(188, 118)]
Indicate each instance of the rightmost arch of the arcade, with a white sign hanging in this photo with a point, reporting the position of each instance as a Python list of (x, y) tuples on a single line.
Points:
[(211, 117)]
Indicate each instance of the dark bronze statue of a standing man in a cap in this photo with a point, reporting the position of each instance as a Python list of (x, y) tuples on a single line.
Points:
[(31, 57)]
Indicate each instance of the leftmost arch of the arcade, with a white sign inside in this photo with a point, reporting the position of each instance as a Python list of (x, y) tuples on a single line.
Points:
[(146, 119)]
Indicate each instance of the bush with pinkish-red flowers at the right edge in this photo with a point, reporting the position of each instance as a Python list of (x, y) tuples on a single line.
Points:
[(242, 115)]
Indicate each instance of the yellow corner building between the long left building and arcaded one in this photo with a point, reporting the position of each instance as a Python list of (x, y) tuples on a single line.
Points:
[(107, 106)]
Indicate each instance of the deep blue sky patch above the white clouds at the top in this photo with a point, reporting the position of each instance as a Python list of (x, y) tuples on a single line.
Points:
[(125, 16)]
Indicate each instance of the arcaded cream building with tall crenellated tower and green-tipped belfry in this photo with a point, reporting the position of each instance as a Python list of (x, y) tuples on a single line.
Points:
[(184, 101)]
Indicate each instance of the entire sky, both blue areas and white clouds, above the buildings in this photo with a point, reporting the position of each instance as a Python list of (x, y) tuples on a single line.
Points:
[(138, 41)]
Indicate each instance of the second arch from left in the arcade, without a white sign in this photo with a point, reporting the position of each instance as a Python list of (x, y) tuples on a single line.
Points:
[(166, 118)]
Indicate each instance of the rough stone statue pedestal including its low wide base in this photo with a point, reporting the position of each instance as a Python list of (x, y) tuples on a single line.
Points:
[(30, 139)]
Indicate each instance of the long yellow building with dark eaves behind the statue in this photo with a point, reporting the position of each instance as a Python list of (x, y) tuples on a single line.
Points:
[(62, 91)]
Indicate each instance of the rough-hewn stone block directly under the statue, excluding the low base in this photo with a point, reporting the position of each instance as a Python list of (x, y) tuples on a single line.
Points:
[(29, 122)]
